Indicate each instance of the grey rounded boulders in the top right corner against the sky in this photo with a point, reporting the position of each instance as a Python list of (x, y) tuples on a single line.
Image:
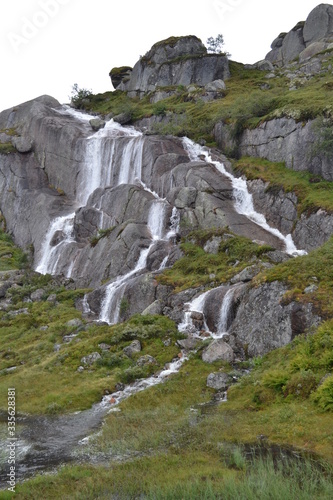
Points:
[(306, 38)]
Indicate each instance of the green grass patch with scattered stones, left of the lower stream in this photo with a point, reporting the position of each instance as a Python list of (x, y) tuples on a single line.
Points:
[(47, 380)]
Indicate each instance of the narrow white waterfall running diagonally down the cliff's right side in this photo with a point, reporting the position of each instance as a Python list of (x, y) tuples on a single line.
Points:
[(243, 199)]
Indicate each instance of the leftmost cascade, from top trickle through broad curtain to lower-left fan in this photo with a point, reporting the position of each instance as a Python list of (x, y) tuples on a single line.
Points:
[(108, 161)]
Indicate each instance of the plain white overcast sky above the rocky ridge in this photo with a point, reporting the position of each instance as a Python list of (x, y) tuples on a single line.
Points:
[(48, 45)]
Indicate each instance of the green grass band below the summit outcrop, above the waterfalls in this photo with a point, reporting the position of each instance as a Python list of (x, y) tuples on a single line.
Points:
[(246, 103)]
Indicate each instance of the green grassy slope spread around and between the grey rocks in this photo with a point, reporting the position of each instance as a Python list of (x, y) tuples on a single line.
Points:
[(187, 452)]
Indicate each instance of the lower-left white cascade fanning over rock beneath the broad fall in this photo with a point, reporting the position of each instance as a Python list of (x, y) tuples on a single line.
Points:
[(51, 251)]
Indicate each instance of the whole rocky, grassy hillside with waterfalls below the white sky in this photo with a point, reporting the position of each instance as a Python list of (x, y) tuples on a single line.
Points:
[(166, 278)]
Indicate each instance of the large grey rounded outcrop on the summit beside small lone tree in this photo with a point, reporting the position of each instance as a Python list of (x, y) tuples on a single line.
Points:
[(175, 61)]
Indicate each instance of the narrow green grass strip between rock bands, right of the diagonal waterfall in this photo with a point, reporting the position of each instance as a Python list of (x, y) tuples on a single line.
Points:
[(312, 191)]
